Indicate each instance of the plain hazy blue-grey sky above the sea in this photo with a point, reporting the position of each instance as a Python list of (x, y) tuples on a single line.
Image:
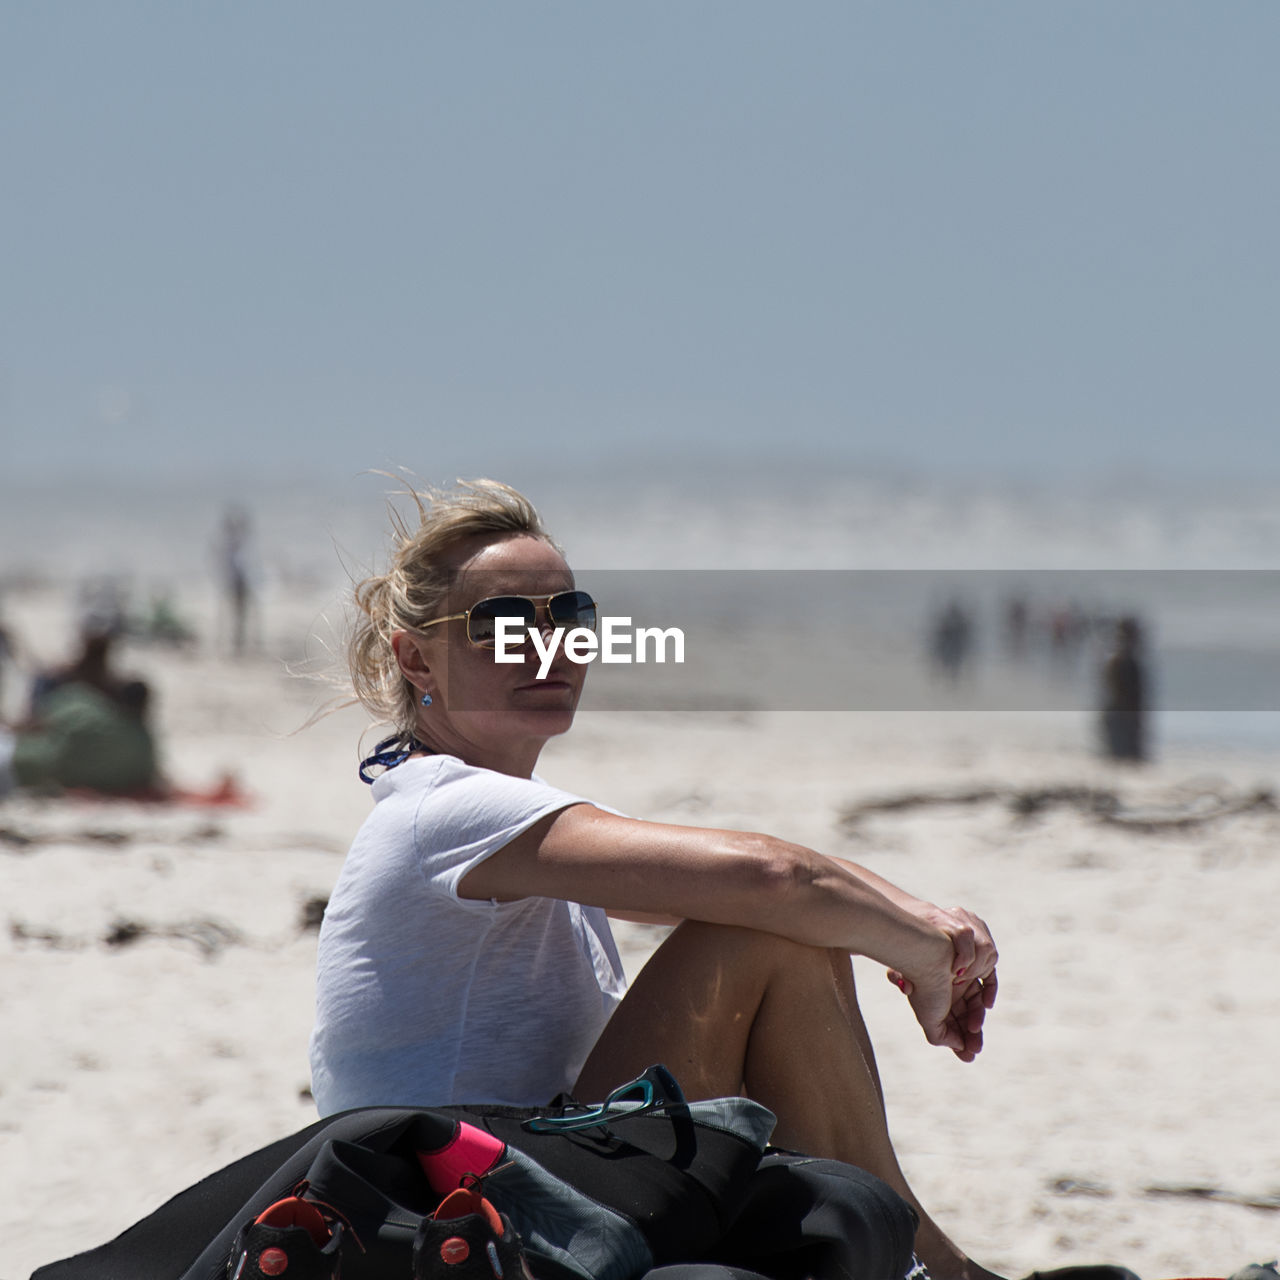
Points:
[(318, 236)]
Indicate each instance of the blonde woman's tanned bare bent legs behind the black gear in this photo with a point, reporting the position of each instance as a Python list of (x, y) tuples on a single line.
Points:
[(733, 1009)]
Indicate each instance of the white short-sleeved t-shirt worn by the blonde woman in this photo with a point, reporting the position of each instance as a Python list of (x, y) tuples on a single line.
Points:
[(424, 998)]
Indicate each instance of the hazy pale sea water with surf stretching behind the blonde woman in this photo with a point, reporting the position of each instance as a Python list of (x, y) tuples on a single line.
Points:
[(798, 589)]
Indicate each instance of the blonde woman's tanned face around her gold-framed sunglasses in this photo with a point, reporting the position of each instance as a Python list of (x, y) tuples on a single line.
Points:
[(479, 702)]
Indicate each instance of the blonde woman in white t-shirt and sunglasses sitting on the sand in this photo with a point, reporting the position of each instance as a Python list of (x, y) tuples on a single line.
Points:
[(467, 952)]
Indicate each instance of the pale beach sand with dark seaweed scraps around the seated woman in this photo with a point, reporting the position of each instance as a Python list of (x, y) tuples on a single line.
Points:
[(1121, 1112)]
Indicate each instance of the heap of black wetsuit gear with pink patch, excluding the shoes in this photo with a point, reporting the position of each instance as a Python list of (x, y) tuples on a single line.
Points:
[(644, 1185)]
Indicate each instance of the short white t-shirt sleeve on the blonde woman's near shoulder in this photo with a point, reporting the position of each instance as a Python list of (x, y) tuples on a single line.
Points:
[(473, 813)]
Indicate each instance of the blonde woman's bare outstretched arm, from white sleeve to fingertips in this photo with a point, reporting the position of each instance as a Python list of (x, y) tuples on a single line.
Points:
[(945, 959)]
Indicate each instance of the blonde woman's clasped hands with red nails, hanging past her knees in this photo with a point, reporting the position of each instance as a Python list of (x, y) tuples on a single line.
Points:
[(952, 1004)]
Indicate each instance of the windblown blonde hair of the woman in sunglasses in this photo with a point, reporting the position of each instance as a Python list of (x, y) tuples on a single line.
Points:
[(415, 587)]
